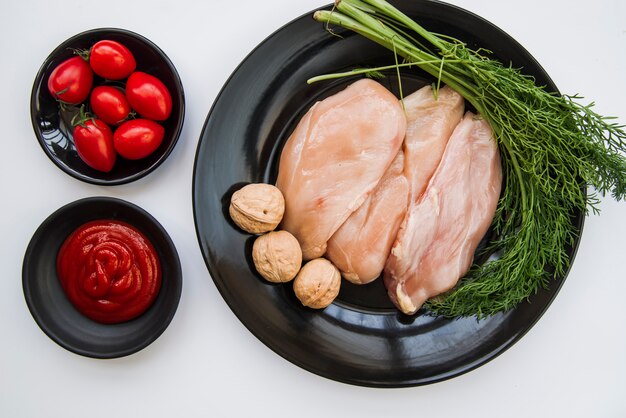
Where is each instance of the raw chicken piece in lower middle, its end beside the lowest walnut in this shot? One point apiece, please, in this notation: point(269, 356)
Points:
point(360, 247)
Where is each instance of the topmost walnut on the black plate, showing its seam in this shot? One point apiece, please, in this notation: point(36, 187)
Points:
point(257, 208)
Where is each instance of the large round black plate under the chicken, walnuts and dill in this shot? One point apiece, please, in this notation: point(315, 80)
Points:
point(359, 339)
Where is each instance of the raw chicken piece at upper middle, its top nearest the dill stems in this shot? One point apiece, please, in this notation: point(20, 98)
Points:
point(430, 123)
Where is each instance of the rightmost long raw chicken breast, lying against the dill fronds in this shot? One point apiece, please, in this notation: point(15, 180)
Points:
point(436, 243)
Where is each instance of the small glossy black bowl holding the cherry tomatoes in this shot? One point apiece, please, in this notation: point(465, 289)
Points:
point(52, 123)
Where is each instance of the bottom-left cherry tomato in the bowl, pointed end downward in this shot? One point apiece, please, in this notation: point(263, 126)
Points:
point(94, 142)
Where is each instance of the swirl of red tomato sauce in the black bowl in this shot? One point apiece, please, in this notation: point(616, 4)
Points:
point(109, 270)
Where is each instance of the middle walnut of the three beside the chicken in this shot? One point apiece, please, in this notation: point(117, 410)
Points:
point(277, 256)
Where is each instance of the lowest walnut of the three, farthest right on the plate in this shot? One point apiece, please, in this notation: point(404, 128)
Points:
point(317, 283)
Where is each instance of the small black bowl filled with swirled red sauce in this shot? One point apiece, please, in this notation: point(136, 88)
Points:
point(106, 312)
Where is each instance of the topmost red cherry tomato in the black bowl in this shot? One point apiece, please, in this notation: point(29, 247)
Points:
point(111, 60)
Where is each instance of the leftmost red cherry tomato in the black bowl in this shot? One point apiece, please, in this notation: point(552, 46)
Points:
point(71, 80)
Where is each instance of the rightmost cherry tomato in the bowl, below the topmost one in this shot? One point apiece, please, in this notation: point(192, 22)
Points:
point(148, 96)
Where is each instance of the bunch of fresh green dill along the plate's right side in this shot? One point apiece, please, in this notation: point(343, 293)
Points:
point(551, 146)
